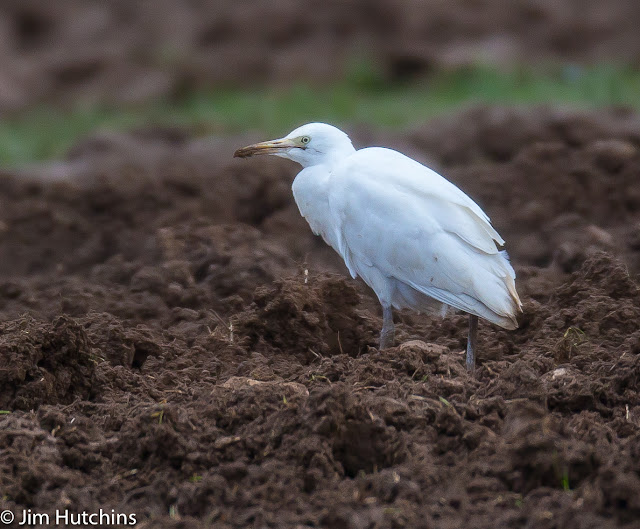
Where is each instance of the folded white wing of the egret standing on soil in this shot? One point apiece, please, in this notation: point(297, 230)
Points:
point(398, 219)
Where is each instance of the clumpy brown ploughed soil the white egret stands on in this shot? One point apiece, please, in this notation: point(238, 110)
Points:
point(164, 353)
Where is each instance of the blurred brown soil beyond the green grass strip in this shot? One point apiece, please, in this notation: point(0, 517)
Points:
point(119, 51)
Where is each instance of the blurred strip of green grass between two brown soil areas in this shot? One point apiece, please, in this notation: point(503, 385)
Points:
point(361, 97)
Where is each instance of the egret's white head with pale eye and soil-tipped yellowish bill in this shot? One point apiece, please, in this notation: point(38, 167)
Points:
point(310, 144)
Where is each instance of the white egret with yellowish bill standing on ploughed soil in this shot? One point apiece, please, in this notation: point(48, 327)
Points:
point(416, 239)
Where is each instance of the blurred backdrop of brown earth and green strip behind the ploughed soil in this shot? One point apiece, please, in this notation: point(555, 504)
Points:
point(70, 67)
